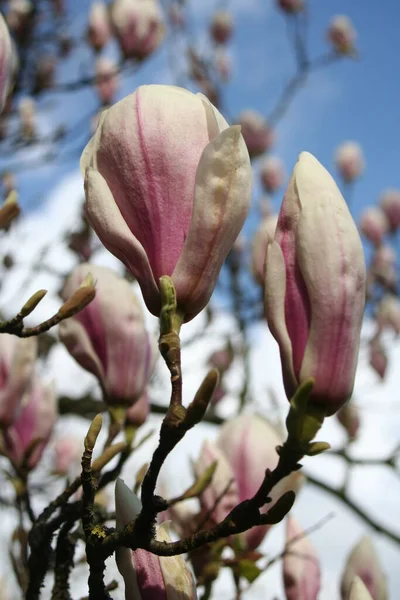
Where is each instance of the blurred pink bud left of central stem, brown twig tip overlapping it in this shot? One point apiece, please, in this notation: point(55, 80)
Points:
point(109, 337)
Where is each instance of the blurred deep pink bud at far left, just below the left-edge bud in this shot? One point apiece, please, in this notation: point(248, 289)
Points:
point(34, 425)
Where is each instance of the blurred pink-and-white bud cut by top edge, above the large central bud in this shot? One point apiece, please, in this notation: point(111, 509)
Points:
point(138, 26)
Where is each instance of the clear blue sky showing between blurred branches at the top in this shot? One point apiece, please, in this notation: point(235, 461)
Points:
point(348, 100)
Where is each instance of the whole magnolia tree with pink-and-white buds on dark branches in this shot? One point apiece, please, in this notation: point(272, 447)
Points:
point(168, 178)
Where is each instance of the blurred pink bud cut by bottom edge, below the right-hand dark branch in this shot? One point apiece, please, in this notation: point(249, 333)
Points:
point(301, 570)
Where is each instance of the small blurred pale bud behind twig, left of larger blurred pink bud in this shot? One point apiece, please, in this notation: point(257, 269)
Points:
point(223, 481)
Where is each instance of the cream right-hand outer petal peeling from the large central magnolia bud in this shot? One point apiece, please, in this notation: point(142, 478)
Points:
point(222, 200)
